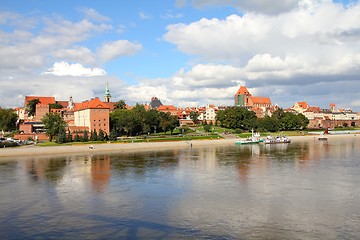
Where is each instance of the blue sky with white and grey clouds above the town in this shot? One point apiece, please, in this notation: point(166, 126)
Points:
point(185, 52)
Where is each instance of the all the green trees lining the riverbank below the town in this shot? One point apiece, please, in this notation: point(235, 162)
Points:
point(138, 121)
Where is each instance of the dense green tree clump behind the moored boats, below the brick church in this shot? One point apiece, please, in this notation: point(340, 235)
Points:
point(244, 120)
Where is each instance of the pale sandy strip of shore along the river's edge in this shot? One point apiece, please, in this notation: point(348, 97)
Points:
point(32, 150)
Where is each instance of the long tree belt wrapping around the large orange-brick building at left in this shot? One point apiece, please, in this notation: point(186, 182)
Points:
point(129, 122)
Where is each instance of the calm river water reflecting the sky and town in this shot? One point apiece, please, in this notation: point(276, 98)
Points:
point(302, 190)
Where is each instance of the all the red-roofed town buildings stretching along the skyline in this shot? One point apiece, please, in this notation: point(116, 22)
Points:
point(94, 114)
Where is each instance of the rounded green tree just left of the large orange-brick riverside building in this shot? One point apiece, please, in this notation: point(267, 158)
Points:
point(54, 124)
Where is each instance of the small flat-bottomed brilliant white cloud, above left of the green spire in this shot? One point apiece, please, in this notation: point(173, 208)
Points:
point(75, 69)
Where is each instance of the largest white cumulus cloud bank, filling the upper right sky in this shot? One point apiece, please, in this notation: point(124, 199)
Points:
point(315, 38)
